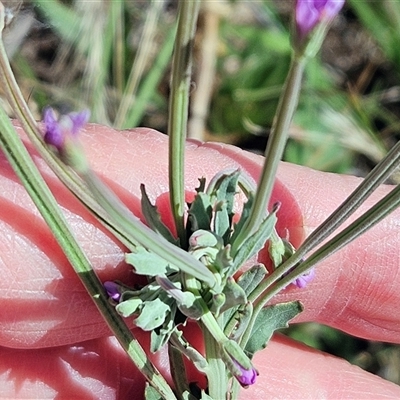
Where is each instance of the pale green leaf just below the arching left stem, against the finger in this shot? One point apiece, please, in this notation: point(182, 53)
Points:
point(146, 263)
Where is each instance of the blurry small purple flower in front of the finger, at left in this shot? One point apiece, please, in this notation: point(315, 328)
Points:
point(58, 130)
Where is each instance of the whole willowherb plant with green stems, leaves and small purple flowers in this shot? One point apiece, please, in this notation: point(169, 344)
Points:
point(193, 275)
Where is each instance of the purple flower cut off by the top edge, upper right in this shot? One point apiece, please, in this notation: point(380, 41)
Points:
point(309, 13)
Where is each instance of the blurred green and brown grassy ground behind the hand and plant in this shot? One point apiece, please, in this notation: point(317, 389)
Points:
point(113, 57)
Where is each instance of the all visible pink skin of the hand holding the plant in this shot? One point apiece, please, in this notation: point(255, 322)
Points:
point(54, 343)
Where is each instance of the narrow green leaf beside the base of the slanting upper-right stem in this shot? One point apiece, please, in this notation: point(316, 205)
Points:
point(254, 243)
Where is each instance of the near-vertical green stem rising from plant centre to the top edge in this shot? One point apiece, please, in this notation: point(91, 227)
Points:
point(178, 109)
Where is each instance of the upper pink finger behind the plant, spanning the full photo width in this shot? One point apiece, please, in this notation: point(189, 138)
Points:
point(46, 305)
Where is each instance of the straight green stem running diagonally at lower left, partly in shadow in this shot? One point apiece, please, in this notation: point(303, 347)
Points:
point(30, 177)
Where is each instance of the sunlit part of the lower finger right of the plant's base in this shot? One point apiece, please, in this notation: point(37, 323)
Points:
point(289, 370)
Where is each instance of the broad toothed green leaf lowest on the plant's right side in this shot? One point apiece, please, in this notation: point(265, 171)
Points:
point(268, 321)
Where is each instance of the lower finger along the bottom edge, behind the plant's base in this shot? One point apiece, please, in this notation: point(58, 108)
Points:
point(99, 369)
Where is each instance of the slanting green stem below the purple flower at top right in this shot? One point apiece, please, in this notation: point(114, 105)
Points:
point(274, 151)
